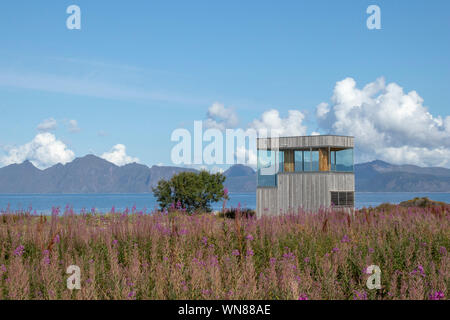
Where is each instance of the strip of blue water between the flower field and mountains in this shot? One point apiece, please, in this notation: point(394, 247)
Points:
point(43, 203)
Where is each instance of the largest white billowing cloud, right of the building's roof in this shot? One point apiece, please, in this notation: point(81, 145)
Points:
point(388, 123)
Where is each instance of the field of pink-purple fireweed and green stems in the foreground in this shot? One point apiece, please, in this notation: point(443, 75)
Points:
point(135, 255)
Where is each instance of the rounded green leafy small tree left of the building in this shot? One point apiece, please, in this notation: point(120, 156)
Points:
point(191, 191)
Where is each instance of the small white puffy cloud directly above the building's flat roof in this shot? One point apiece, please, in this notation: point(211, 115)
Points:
point(271, 123)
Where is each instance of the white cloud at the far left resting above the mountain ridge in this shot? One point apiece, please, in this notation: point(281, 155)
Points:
point(43, 151)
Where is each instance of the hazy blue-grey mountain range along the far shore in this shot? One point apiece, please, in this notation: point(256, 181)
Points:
point(91, 174)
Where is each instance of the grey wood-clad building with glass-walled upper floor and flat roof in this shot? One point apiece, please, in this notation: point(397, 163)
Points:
point(309, 172)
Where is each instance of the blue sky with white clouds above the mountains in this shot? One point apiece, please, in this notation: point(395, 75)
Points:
point(138, 70)
